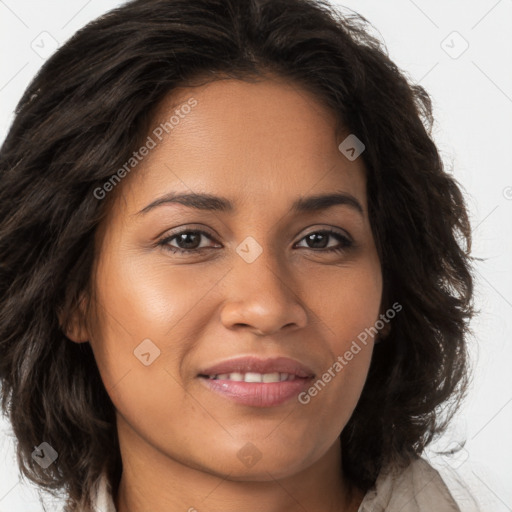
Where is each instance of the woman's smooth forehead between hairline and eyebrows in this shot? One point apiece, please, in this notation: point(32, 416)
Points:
point(255, 143)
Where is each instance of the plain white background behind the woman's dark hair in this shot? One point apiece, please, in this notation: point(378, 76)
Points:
point(472, 96)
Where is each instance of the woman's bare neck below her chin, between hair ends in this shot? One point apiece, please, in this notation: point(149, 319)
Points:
point(155, 481)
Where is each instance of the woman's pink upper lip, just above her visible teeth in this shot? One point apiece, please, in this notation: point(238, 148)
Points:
point(254, 364)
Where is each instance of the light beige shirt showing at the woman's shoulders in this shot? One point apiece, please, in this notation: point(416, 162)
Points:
point(417, 488)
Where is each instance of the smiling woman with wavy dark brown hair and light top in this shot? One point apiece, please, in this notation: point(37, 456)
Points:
point(233, 269)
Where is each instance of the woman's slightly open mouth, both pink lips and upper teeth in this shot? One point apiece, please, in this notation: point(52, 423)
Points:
point(257, 382)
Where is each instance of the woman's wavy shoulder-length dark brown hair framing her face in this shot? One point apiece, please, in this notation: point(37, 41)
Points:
point(84, 114)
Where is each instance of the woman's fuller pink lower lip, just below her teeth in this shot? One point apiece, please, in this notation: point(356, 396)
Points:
point(257, 394)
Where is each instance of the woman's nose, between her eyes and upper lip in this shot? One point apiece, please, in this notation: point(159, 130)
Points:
point(262, 297)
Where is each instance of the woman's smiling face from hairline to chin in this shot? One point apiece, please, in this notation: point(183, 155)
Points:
point(258, 278)
